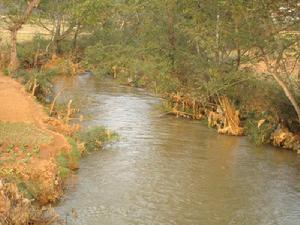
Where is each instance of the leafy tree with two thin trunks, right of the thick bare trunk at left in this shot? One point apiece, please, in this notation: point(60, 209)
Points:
point(63, 18)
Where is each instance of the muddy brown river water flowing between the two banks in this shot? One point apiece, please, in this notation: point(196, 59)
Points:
point(171, 171)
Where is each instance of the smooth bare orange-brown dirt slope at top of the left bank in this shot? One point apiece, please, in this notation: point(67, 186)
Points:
point(16, 105)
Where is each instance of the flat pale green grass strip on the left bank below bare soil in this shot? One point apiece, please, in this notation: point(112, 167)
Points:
point(22, 134)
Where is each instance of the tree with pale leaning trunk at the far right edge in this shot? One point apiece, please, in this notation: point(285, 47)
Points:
point(278, 44)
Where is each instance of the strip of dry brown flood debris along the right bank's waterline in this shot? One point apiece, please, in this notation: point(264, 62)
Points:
point(223, 115)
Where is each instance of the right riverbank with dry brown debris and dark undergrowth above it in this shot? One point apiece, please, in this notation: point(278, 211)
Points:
point(230, 113)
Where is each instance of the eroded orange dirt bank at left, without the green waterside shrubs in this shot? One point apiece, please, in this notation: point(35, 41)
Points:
point(28, 156)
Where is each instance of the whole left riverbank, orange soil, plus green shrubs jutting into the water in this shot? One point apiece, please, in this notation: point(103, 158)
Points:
point(36, 155)
